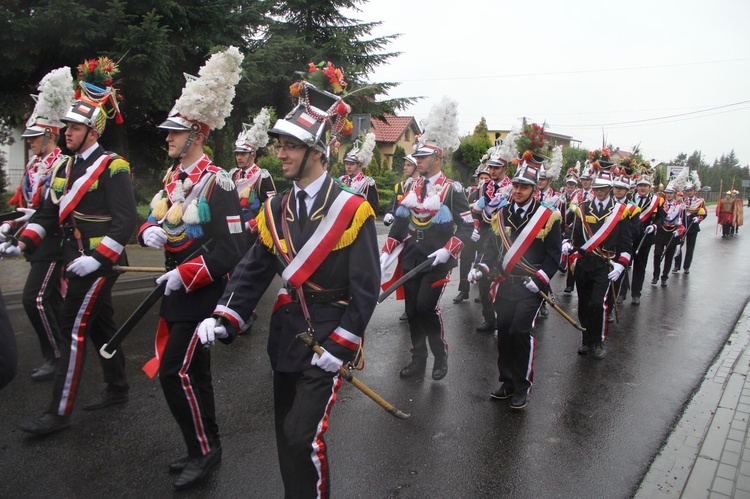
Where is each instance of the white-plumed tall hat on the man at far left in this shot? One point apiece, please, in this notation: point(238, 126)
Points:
point(52, 102)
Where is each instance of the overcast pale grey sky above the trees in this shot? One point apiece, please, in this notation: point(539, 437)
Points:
point(672, 76)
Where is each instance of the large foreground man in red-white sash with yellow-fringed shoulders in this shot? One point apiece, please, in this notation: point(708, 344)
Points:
point(321, 239)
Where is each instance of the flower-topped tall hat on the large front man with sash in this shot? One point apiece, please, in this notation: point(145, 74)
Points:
point(320, 115)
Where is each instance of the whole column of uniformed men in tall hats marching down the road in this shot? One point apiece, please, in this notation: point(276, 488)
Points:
point(226, 234)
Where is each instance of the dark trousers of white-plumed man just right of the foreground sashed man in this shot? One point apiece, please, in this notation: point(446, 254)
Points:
point(422, 296)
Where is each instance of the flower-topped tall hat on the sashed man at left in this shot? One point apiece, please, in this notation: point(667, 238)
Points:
point(95, 96)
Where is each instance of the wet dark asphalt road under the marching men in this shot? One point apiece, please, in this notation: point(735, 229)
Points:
point(590, 429)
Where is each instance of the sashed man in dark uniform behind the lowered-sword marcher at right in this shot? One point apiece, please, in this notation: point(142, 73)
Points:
point(602, 247)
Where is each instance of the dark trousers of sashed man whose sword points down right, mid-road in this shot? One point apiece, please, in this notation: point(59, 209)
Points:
point(515, 345)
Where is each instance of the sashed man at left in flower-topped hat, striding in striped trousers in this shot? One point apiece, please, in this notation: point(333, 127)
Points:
point(91, 197)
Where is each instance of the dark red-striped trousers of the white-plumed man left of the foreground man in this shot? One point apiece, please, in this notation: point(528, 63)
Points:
point(185, 376)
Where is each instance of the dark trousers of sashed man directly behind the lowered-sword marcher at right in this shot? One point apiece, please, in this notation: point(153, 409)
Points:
point(593, 288)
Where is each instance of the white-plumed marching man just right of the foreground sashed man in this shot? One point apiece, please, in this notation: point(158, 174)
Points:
point(432, 222)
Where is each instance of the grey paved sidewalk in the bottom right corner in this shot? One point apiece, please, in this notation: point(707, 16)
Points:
point(708, 452)
